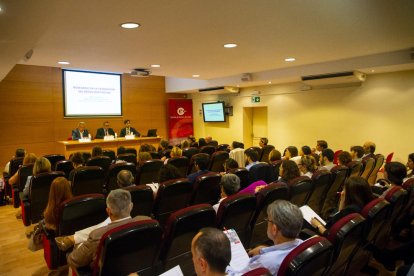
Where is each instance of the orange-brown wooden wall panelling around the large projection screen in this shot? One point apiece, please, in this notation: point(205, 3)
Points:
point(32, 115)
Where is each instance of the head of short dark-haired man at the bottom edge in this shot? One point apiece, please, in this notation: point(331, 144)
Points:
point(211, 252)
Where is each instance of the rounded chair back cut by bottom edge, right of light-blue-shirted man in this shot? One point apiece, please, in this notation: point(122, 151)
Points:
point(312, 257)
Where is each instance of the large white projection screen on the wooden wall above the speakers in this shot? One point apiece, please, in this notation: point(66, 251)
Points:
point(91, 94)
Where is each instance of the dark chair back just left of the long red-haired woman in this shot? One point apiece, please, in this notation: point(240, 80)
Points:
point(39, 193)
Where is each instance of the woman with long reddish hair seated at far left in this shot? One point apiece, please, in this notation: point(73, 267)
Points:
point(60, 190)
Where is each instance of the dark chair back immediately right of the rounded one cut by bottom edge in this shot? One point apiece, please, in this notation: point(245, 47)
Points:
point(345, 235)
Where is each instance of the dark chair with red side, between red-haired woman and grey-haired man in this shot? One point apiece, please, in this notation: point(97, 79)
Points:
point(74, 214)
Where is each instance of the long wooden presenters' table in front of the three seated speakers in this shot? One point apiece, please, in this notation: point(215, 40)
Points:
point(69, 147)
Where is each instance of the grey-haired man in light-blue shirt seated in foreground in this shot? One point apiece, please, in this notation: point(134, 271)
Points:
point(284, 224)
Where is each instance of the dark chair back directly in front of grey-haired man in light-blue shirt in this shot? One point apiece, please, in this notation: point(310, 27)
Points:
point(264, 197)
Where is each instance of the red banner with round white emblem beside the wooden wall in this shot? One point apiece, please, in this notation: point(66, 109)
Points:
point(180, 118)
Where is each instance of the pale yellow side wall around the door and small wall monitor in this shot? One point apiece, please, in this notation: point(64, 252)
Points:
point(380, 110)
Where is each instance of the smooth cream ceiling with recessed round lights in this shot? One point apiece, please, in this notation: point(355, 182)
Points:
point(186, 37)
